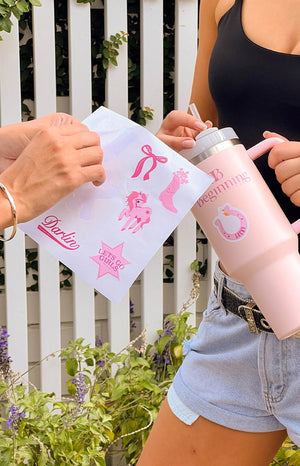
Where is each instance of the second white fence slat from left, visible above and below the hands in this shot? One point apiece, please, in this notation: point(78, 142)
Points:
point(49, 291)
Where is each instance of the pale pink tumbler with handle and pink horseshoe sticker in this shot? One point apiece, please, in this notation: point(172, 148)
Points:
point(245, 225)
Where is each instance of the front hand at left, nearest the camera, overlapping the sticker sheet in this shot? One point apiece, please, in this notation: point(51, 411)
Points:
point(55, 162)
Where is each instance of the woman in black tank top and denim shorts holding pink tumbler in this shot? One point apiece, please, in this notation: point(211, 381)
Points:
point(237, 394)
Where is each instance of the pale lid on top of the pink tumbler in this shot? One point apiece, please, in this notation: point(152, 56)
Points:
point(207, 139)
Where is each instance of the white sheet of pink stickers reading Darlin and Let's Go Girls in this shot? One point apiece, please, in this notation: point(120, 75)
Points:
point(108, 234)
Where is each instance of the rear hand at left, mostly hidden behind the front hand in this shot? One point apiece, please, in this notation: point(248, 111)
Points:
point(15, 137)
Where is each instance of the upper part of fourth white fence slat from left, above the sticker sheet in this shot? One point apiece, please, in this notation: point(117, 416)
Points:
point(116, 92)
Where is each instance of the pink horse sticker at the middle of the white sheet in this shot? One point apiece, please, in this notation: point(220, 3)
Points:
point(137, 214)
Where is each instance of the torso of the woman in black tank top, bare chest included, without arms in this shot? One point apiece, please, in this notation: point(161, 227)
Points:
point(254, 75)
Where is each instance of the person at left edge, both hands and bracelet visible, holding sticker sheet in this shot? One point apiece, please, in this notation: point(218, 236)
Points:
point(42, 161)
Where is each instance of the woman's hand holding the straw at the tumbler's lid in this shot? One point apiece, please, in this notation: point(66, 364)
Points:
point(179, 129)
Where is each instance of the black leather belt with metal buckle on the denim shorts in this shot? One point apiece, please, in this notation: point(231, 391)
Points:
point(246, 309)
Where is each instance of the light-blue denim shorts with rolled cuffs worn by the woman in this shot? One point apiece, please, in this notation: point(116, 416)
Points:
point(235, 378)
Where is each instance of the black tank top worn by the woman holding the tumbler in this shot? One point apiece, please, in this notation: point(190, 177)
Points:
point(255, 89)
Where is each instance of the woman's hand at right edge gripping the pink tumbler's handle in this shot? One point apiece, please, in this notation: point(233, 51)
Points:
point(285, 159)
